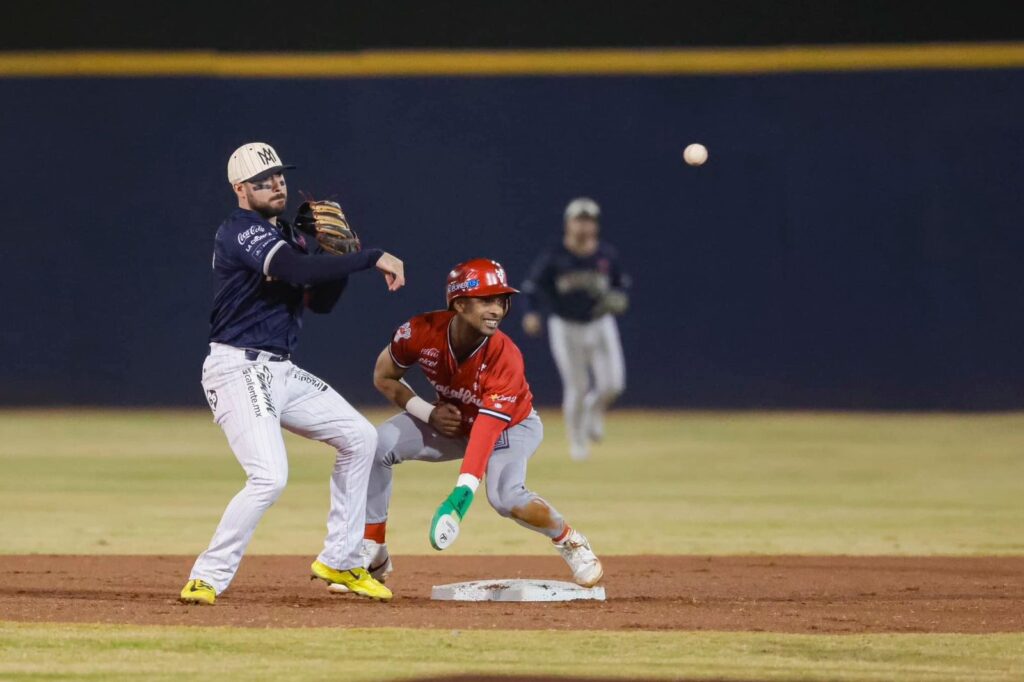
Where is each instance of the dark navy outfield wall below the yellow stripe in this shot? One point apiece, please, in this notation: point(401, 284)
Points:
point(856, 240)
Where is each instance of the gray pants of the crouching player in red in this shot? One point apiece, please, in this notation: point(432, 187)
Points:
point(404, 438)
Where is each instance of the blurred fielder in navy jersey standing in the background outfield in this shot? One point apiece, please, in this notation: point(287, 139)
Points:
point(582, 287)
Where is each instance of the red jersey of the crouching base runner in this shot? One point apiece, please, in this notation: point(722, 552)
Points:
point(491, 381)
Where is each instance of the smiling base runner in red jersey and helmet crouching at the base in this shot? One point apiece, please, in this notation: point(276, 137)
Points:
point(484, 414)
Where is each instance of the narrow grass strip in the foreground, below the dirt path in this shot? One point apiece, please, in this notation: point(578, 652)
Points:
point(109, 653)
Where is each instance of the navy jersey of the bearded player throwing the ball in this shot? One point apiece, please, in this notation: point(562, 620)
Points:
point(251, 310)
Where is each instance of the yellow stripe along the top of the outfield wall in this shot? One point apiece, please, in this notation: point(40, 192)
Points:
point(514, 63)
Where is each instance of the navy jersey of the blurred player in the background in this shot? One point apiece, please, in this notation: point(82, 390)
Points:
point(571, 287)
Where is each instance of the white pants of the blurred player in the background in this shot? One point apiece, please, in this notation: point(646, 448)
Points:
point(582, 350)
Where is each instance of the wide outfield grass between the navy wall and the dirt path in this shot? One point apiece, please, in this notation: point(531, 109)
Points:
point(137, 482)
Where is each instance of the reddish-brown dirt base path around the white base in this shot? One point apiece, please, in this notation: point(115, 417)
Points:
point(775, 594)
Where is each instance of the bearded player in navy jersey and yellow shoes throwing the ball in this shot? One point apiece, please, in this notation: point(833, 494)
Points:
point(267, 275)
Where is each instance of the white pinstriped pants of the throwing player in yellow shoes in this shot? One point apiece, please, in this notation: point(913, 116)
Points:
point(252, 400)
